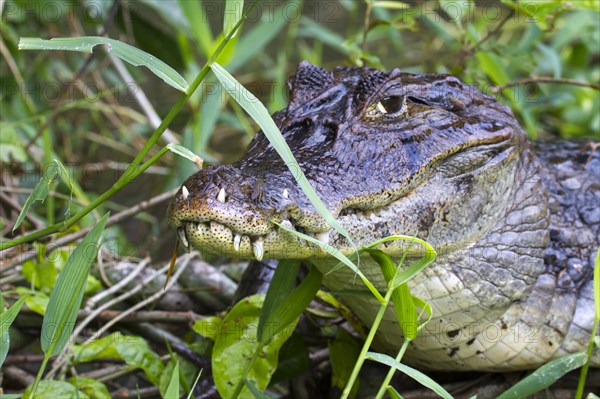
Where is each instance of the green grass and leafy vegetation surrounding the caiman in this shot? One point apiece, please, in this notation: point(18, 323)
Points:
point(80, 137)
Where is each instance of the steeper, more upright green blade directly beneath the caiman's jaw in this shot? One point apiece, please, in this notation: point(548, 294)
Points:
point(280, 287)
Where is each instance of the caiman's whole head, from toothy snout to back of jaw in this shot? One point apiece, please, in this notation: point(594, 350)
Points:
point(387, 152)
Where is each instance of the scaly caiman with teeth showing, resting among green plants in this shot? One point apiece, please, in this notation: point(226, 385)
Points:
point(515, 224)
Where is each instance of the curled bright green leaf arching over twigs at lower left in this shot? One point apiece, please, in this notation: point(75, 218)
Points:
point(132, 350)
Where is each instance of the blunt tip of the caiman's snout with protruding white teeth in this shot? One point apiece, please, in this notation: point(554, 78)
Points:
point(225, 211)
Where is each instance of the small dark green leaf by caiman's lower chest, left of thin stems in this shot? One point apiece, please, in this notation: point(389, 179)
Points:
point(343, 352)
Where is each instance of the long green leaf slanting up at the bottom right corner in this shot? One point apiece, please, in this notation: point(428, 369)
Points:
point(545, 376)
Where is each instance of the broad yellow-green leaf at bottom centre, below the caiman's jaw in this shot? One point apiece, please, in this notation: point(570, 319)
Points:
point(236, 344)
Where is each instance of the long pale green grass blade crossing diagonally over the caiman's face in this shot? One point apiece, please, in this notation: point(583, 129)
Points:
point(259, 113)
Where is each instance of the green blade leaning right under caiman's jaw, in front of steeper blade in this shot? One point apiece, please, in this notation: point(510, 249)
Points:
point(292, 306)
